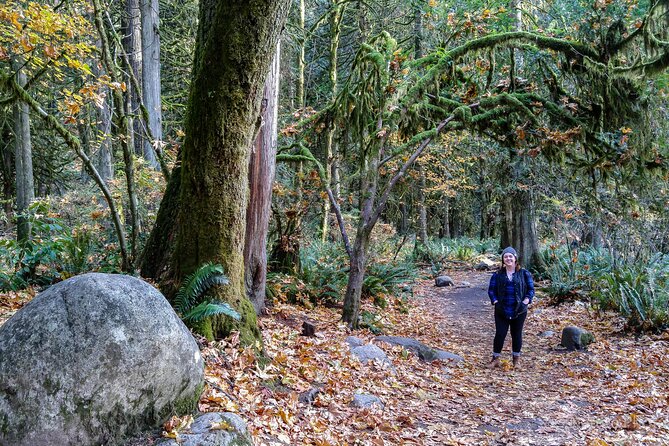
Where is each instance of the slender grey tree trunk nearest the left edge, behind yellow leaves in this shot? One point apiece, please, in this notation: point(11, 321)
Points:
point(25, 186)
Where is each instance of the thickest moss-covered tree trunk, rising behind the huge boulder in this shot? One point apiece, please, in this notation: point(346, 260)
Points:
point(235, 45)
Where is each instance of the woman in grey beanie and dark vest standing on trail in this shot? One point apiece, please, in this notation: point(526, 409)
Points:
point(511, 290)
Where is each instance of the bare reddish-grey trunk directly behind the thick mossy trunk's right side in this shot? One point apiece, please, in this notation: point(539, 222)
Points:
point(261, 177)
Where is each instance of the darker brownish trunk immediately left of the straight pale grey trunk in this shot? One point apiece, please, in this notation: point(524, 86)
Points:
point(132, 46)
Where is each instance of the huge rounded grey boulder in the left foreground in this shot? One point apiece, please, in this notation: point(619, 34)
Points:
point(93, 359)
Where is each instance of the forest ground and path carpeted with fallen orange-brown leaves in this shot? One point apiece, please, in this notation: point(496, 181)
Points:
point(616, 393)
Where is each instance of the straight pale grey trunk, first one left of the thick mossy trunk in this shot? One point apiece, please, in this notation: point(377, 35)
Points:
point(151, 78)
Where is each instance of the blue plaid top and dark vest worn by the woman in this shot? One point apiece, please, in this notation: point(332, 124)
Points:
point(510, 294)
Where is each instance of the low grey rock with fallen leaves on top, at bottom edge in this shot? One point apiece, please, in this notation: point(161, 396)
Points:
point(231, 431)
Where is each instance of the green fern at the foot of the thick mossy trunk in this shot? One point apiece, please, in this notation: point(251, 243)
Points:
point(188, 301)
